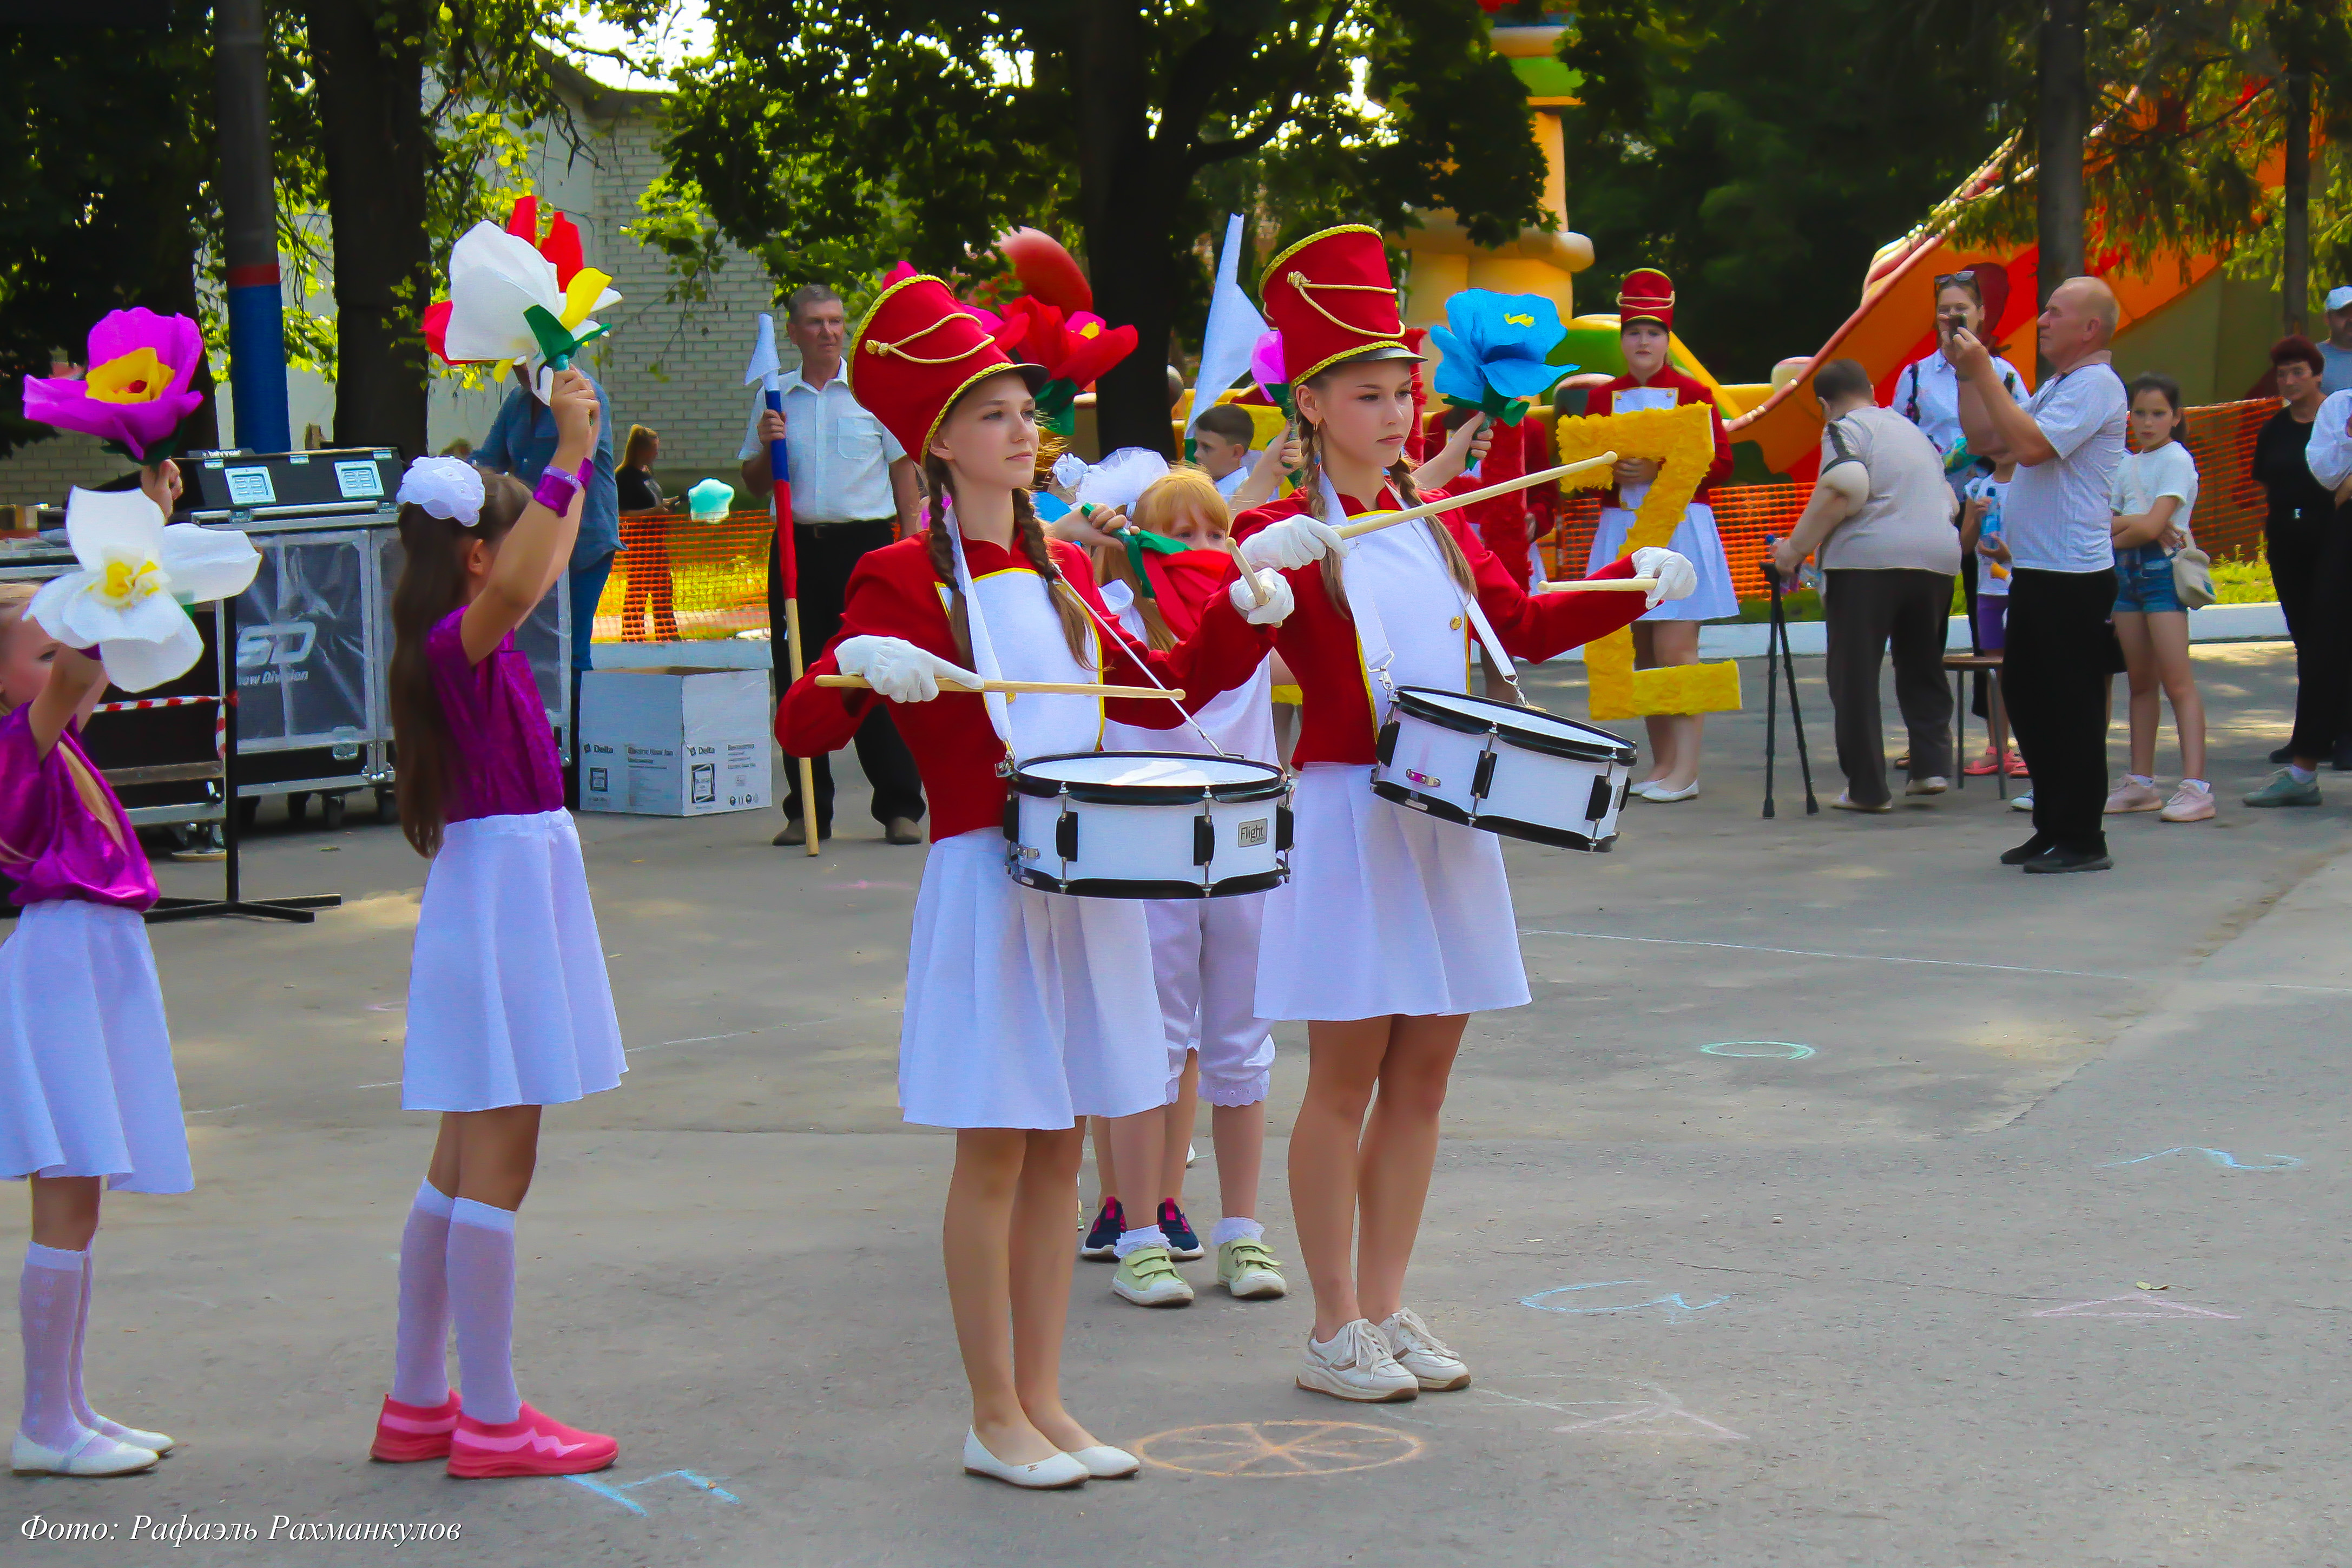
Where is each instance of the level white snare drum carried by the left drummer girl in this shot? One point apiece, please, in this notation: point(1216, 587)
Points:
point(1149, 826)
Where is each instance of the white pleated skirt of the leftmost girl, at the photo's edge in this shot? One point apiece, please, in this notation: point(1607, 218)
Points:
point(86, 1057)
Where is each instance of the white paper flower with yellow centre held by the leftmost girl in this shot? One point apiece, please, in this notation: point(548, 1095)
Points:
point(135, 577)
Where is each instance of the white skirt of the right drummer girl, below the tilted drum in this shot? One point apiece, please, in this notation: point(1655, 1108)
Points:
point(1389, 911)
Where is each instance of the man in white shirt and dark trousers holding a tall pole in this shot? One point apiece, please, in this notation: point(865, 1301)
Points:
point(853, 492)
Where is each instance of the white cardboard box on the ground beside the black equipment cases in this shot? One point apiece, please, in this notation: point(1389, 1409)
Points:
point(676, 742)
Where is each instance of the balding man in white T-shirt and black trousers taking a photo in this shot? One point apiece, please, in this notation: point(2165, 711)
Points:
point(2057, 528)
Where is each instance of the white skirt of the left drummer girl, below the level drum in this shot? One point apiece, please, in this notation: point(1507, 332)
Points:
point(1024, 1010)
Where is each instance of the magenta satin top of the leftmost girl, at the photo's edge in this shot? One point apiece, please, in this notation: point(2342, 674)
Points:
point(51, 843)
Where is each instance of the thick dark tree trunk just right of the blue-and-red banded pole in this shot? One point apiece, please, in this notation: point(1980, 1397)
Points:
point(370, 93)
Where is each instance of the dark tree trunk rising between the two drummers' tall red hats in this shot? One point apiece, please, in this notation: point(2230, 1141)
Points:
point(1130, 201)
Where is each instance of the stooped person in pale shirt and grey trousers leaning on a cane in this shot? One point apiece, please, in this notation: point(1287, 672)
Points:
point(1883, 523)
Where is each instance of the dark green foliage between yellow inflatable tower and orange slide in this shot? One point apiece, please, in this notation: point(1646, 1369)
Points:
point(1763, 152)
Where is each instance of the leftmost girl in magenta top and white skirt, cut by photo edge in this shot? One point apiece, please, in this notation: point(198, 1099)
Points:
point(86, 1059)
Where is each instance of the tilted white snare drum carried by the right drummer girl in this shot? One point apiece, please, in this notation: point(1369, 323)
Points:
point(1502, 768)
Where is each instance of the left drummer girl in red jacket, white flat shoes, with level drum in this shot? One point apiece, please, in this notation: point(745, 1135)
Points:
point(1024, 1010)
